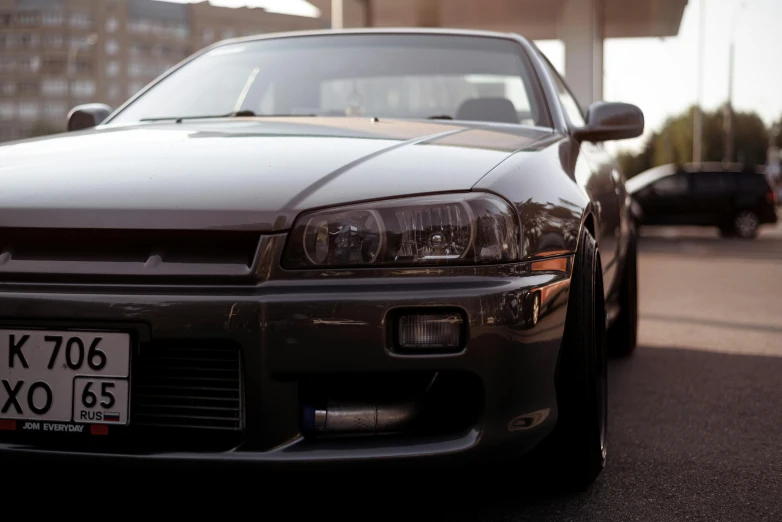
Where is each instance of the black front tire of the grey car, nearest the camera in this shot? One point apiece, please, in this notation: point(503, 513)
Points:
point(575, 453)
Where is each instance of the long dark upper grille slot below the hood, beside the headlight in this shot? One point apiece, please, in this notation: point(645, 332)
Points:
point(126, 255)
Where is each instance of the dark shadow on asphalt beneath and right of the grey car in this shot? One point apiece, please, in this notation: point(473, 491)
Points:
point(694, 435)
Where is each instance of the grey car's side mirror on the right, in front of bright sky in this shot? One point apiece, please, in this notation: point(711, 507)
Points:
point(611, 121)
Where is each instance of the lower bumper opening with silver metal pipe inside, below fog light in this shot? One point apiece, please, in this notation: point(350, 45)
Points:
point(394, 404)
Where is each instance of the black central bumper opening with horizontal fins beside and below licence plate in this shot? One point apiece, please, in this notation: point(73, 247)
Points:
point(185, 396)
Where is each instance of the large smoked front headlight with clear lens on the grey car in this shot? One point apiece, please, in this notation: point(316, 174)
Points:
point(465, 229)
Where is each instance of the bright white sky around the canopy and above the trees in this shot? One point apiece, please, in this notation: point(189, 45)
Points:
point(660, 75)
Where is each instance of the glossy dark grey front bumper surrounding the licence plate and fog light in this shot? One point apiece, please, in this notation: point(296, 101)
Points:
point(293, 331)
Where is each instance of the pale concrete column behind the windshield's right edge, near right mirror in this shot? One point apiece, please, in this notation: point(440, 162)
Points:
point(581, 30)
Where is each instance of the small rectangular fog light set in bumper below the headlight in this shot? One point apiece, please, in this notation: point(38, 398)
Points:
point(430, 332)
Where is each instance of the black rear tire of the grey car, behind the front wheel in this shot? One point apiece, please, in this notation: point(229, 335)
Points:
point(623, 333)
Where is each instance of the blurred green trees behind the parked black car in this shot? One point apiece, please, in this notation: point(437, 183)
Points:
point(673, 143)
